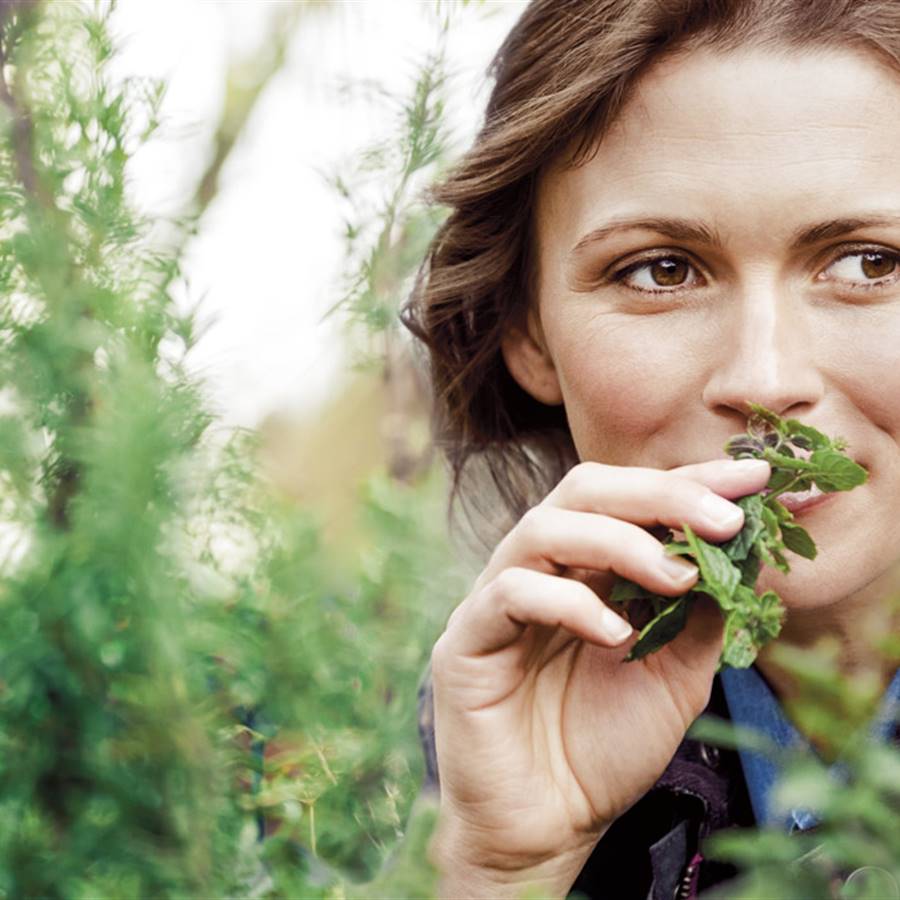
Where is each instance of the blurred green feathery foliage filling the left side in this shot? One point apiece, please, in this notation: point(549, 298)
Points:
point(185, 668)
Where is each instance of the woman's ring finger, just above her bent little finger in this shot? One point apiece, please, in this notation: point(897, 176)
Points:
point(550, 539)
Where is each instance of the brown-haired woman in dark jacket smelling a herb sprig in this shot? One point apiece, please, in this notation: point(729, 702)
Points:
point(673, 208)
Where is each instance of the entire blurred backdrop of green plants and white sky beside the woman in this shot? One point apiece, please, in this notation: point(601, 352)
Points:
point(226, 549)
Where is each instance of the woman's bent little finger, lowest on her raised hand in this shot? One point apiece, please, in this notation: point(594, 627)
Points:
point(496, 616)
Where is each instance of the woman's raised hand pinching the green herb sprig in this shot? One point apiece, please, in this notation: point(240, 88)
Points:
point(544, 736)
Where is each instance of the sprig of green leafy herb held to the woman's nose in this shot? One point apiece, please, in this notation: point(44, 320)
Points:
point(728, 571)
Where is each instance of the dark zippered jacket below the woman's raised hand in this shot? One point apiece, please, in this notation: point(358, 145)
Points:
point(652, 852)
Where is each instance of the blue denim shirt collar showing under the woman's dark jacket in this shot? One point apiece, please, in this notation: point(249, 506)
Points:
point(751, 703)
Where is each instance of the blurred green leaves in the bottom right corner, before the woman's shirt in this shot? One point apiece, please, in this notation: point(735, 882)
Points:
point(855, 849)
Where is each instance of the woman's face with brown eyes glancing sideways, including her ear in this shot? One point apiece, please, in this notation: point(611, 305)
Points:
point(736, 237)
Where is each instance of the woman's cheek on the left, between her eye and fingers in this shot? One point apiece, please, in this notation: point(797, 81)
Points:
point(622, 383)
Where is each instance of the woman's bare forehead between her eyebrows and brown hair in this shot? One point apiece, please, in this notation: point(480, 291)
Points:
point(748, 139)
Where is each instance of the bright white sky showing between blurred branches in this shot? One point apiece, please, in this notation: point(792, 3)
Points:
point(265, 264)
